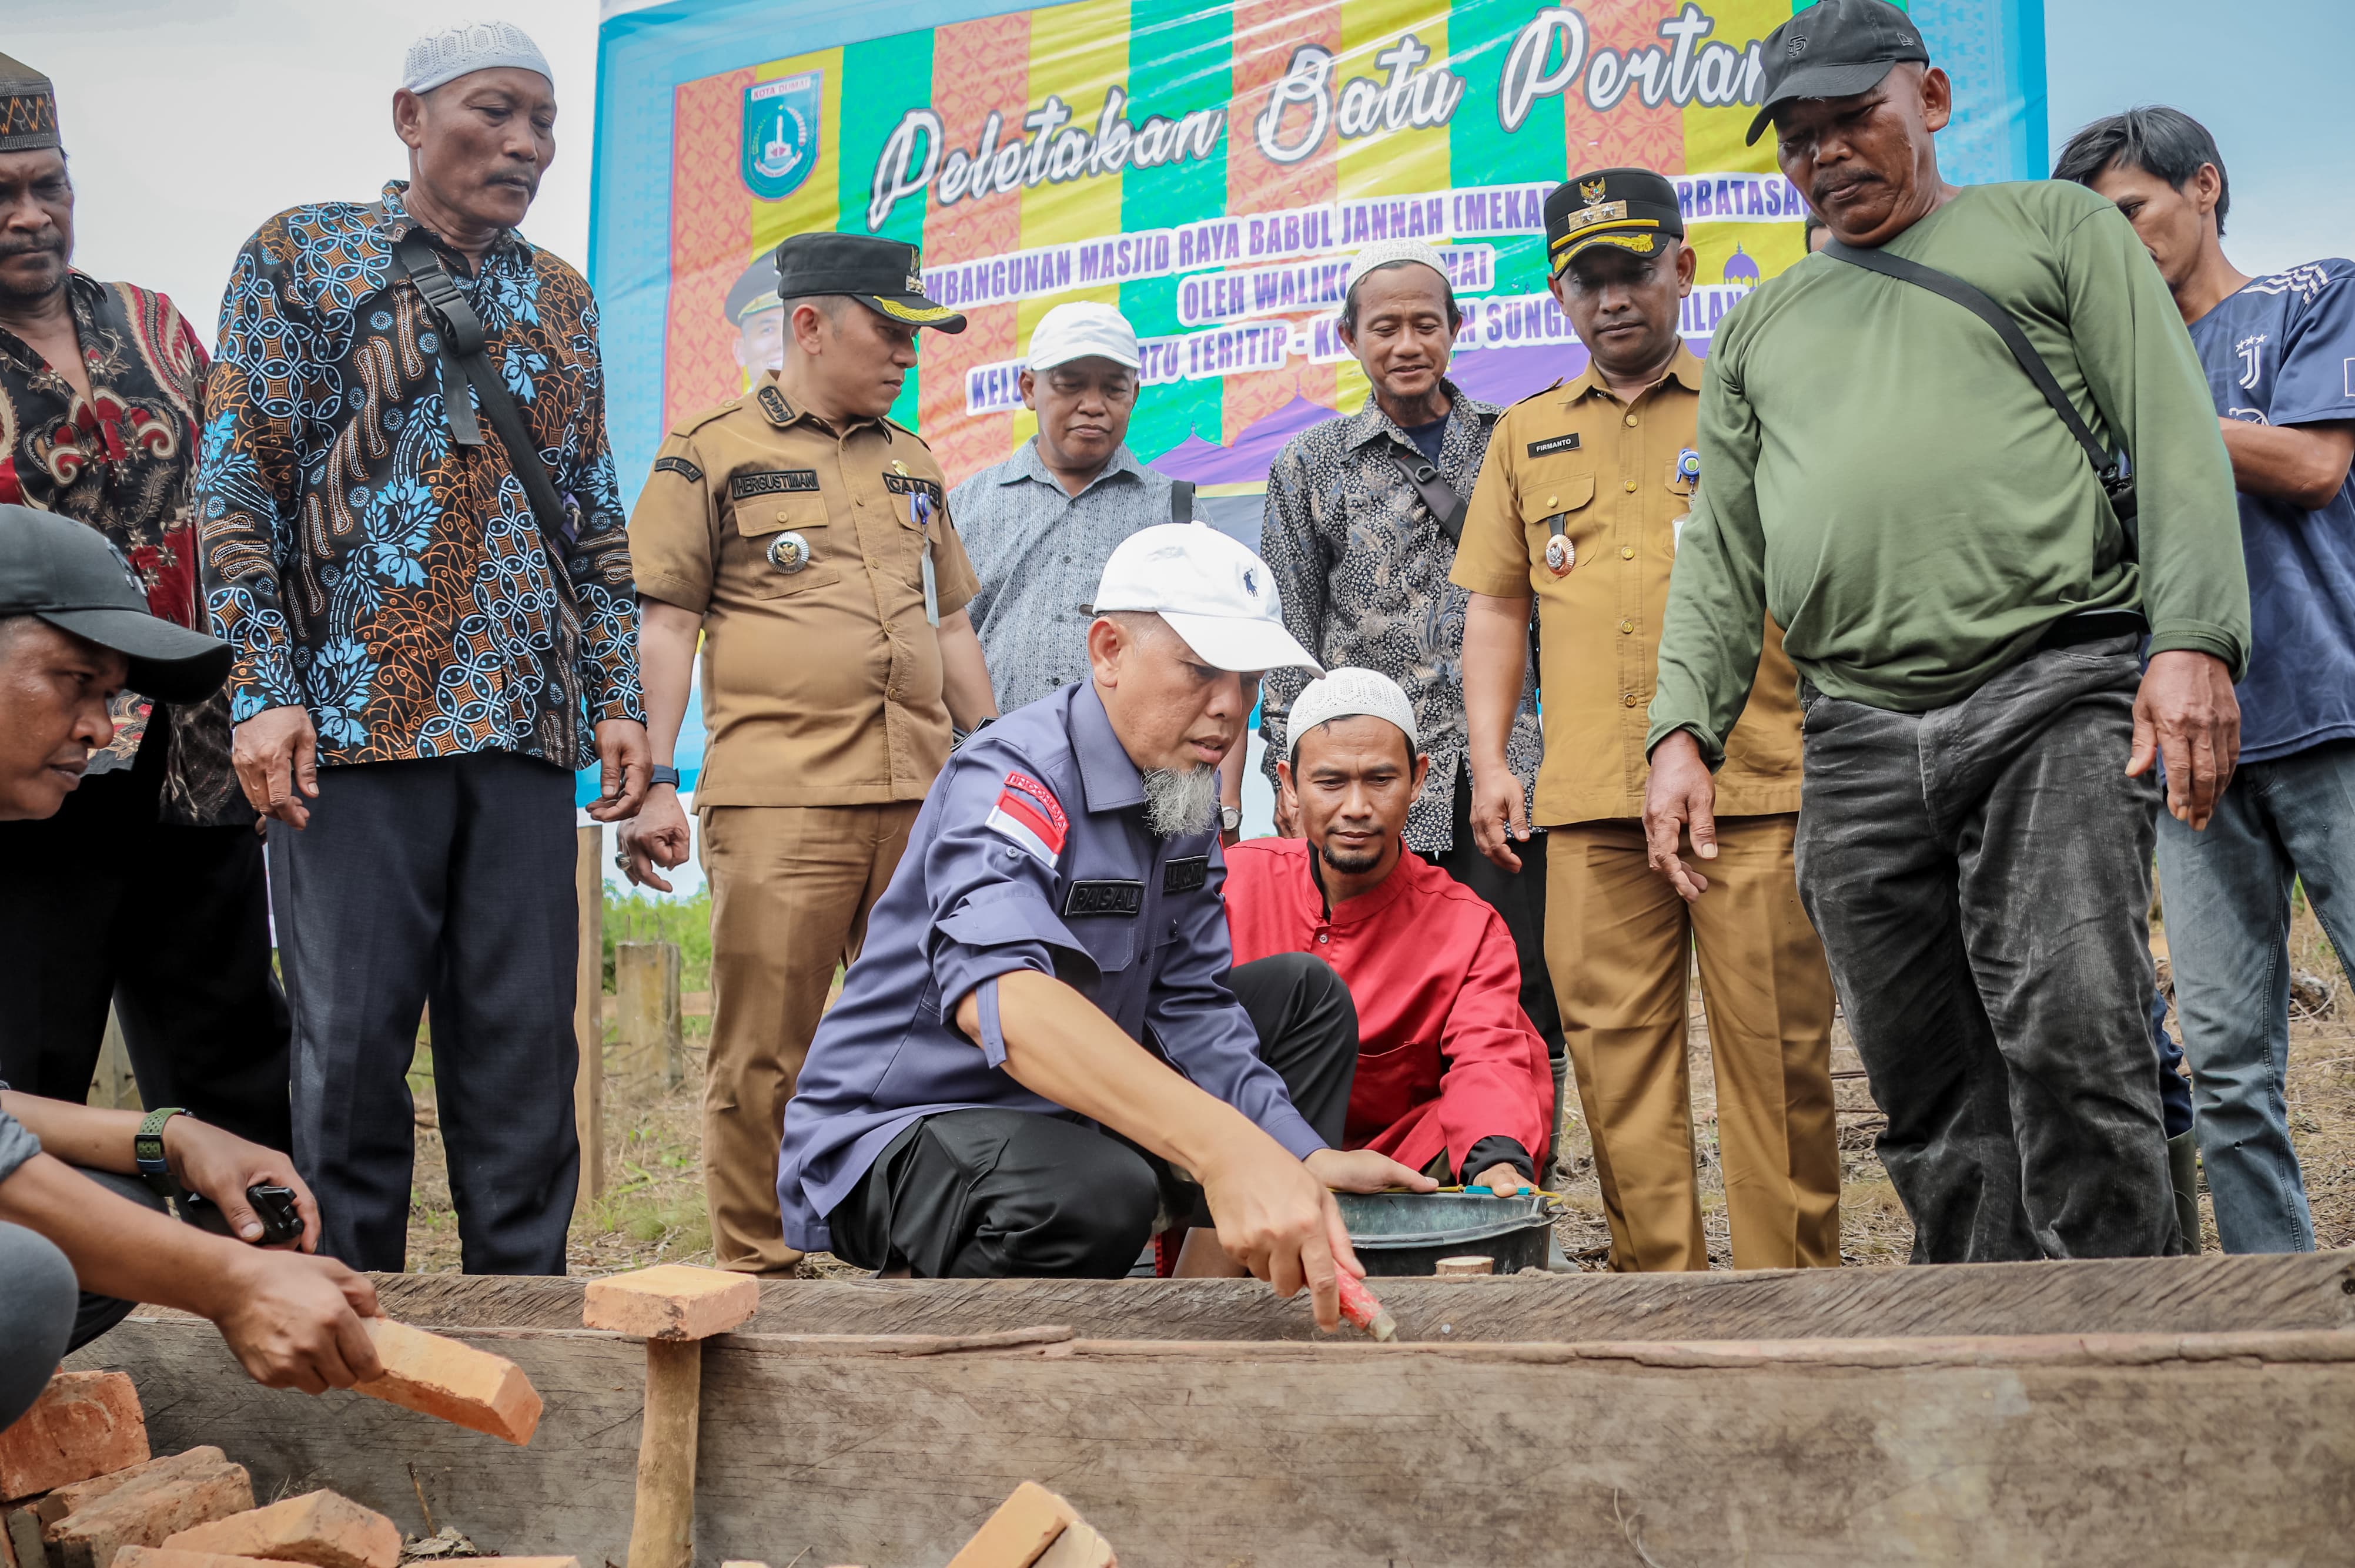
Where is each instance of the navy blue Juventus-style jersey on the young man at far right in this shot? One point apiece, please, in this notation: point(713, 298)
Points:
point(2283, 352)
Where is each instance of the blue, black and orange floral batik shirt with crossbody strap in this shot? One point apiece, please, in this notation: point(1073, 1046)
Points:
point(359, 559)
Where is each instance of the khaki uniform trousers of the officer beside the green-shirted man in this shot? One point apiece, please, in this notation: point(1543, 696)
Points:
point(1619, 941)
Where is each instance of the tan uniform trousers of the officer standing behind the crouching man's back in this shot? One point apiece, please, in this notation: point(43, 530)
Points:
point(790, 898)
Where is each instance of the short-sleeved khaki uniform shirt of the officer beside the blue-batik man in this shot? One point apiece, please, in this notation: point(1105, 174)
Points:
point(821, 686)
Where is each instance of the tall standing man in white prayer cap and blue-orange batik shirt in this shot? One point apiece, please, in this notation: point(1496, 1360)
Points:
point(416, 545)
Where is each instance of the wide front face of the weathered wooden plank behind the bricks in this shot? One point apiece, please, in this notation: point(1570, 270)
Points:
point(1772, 1454)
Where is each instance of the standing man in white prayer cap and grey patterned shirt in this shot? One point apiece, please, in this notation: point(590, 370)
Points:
point(1360, 536)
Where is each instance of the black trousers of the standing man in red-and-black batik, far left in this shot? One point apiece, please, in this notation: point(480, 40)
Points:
point(171, 924)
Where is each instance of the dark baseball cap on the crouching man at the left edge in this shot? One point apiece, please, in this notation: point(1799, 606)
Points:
point(69, 576)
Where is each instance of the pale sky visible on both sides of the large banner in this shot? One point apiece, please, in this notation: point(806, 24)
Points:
point(190, 121)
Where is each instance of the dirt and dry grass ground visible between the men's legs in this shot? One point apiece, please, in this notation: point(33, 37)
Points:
point(654, 1207)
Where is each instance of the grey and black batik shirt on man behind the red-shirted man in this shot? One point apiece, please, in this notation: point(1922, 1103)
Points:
point(1362, 571)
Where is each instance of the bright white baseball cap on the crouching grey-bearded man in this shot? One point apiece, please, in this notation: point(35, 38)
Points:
point(1214, 592)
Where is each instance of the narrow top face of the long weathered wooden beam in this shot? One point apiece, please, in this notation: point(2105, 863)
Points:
point(2050, 1298)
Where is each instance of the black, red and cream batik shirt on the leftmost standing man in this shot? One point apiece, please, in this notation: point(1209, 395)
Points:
point(124, 463)
